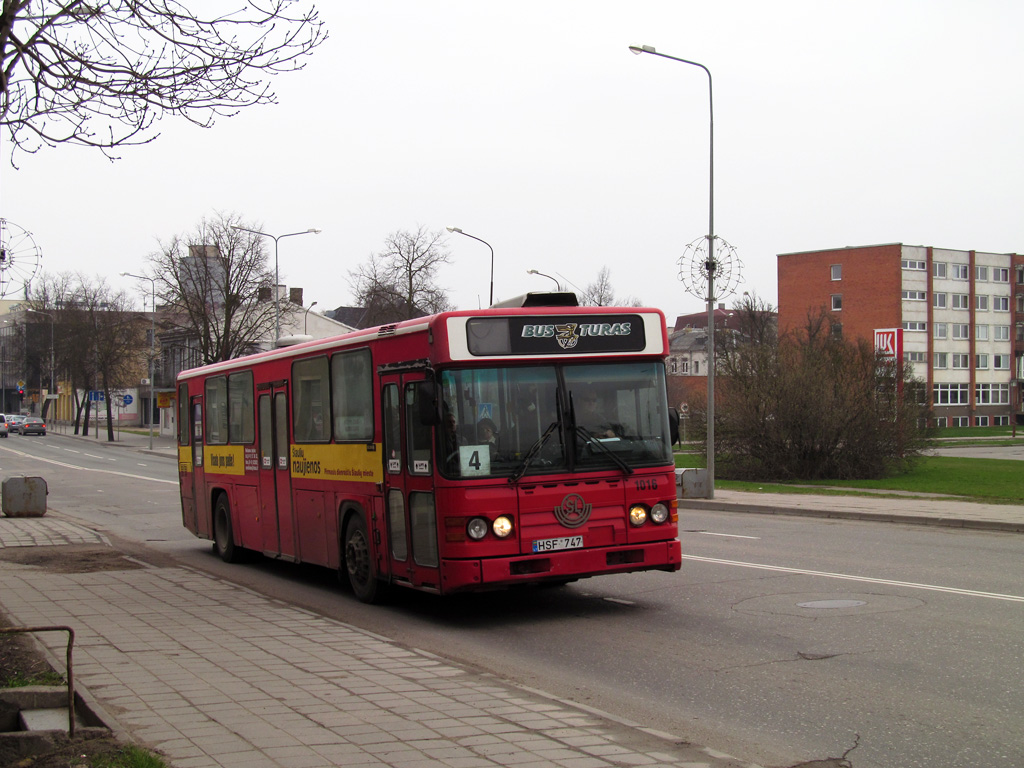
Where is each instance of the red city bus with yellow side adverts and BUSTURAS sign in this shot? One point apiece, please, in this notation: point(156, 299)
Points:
point(464, 451)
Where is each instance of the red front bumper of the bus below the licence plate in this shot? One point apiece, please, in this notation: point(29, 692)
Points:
point(565, 566)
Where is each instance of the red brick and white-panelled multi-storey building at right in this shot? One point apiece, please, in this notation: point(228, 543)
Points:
point(962, 314)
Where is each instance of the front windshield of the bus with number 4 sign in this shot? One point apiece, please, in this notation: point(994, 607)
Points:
point(507, 422)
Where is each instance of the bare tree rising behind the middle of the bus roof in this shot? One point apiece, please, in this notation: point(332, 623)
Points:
point(400, 282)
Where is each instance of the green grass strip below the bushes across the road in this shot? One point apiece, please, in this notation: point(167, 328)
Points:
point(992, 481)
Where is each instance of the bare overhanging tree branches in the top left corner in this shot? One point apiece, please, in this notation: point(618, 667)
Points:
point(102, 73)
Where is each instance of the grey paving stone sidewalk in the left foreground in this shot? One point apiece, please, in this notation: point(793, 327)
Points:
point(212, 674)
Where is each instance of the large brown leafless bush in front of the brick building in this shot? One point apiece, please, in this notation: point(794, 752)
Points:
point(812, 405)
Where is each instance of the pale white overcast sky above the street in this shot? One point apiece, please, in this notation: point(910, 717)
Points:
point(531, 125)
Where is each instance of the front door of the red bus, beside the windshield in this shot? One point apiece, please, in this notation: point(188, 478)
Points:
point(411, 522)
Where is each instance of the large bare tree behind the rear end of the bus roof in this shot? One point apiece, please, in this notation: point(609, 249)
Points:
point(218, 287)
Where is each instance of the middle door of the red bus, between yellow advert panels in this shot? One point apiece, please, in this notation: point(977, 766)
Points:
point(275, 478)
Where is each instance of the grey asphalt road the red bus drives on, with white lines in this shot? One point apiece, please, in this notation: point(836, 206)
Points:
point(783, 641)
